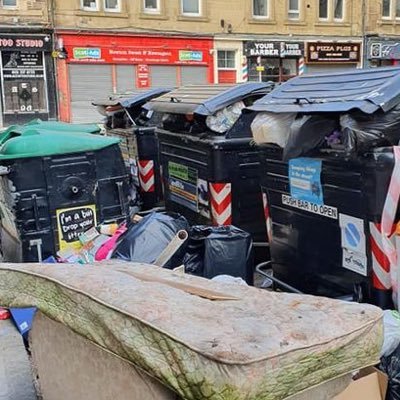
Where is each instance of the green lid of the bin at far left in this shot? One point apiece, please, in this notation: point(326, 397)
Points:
point(36, 142)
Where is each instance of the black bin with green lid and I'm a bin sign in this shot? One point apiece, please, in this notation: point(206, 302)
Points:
point(55, 186)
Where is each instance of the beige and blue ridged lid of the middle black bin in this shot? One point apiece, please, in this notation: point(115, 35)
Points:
point(205, 99)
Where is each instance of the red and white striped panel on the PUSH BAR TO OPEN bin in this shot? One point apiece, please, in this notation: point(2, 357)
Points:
point(380, 262)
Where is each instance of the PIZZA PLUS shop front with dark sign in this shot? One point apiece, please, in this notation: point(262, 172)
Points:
point(328, 57)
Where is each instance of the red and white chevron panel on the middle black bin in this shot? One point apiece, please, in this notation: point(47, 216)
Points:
point(221, 203)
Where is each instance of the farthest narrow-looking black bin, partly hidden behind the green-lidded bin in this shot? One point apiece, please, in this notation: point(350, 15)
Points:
point(142, 145)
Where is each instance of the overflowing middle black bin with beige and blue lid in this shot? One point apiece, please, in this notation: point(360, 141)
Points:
point(211, 177)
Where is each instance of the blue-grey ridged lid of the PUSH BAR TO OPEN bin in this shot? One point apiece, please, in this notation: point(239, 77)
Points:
point(365, 89)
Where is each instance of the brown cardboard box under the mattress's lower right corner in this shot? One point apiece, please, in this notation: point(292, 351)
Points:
point(369, 384)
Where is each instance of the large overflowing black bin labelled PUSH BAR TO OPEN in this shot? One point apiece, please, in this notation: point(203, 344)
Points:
point(326, 189)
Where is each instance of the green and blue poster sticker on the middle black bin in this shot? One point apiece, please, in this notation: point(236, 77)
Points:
point(182, 185)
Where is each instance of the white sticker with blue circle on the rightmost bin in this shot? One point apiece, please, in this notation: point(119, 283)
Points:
point(353, 244)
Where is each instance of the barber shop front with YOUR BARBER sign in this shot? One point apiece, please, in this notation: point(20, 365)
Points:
point(275, 61)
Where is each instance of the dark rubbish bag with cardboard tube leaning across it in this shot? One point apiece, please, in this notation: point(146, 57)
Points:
point(145, 241)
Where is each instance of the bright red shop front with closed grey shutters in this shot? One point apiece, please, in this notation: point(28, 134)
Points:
point(95, 66)
